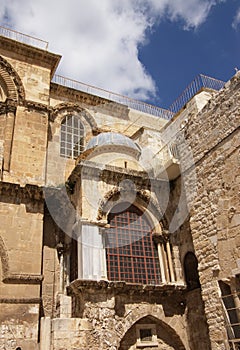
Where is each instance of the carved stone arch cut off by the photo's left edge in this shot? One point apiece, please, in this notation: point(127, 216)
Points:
point(11, 82)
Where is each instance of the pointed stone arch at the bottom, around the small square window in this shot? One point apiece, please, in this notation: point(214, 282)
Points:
point(139, 315)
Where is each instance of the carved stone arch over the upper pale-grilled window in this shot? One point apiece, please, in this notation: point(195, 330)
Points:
point(63, 109)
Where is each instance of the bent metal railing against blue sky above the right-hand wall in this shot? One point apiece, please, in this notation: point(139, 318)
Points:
point(201, 81)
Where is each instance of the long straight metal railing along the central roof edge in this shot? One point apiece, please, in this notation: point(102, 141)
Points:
point(131, 103)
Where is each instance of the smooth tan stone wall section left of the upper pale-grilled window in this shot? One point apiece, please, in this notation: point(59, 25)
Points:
point(28, 153)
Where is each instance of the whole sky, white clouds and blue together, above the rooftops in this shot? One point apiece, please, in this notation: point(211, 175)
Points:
point(146, 49)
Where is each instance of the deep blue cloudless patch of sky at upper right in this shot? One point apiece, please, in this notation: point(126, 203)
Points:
point(175, 56)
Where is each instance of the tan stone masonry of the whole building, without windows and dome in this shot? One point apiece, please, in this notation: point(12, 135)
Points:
point(202, 215)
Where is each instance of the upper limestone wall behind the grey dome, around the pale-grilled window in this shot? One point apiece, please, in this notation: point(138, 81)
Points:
point(97, 115)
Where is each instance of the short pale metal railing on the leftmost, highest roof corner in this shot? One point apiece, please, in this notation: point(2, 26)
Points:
point(23, 38)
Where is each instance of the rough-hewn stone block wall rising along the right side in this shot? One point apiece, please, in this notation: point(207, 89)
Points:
point(213, 136)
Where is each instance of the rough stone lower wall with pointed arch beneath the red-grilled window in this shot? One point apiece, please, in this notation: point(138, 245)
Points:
point(105, 314)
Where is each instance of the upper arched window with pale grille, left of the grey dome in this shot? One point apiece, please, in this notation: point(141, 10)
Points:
point(72, 137)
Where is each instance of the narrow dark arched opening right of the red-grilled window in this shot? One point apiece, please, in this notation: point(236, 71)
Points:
point(191, 271)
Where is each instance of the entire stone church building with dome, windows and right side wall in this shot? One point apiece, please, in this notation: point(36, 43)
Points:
point(119, 220)
